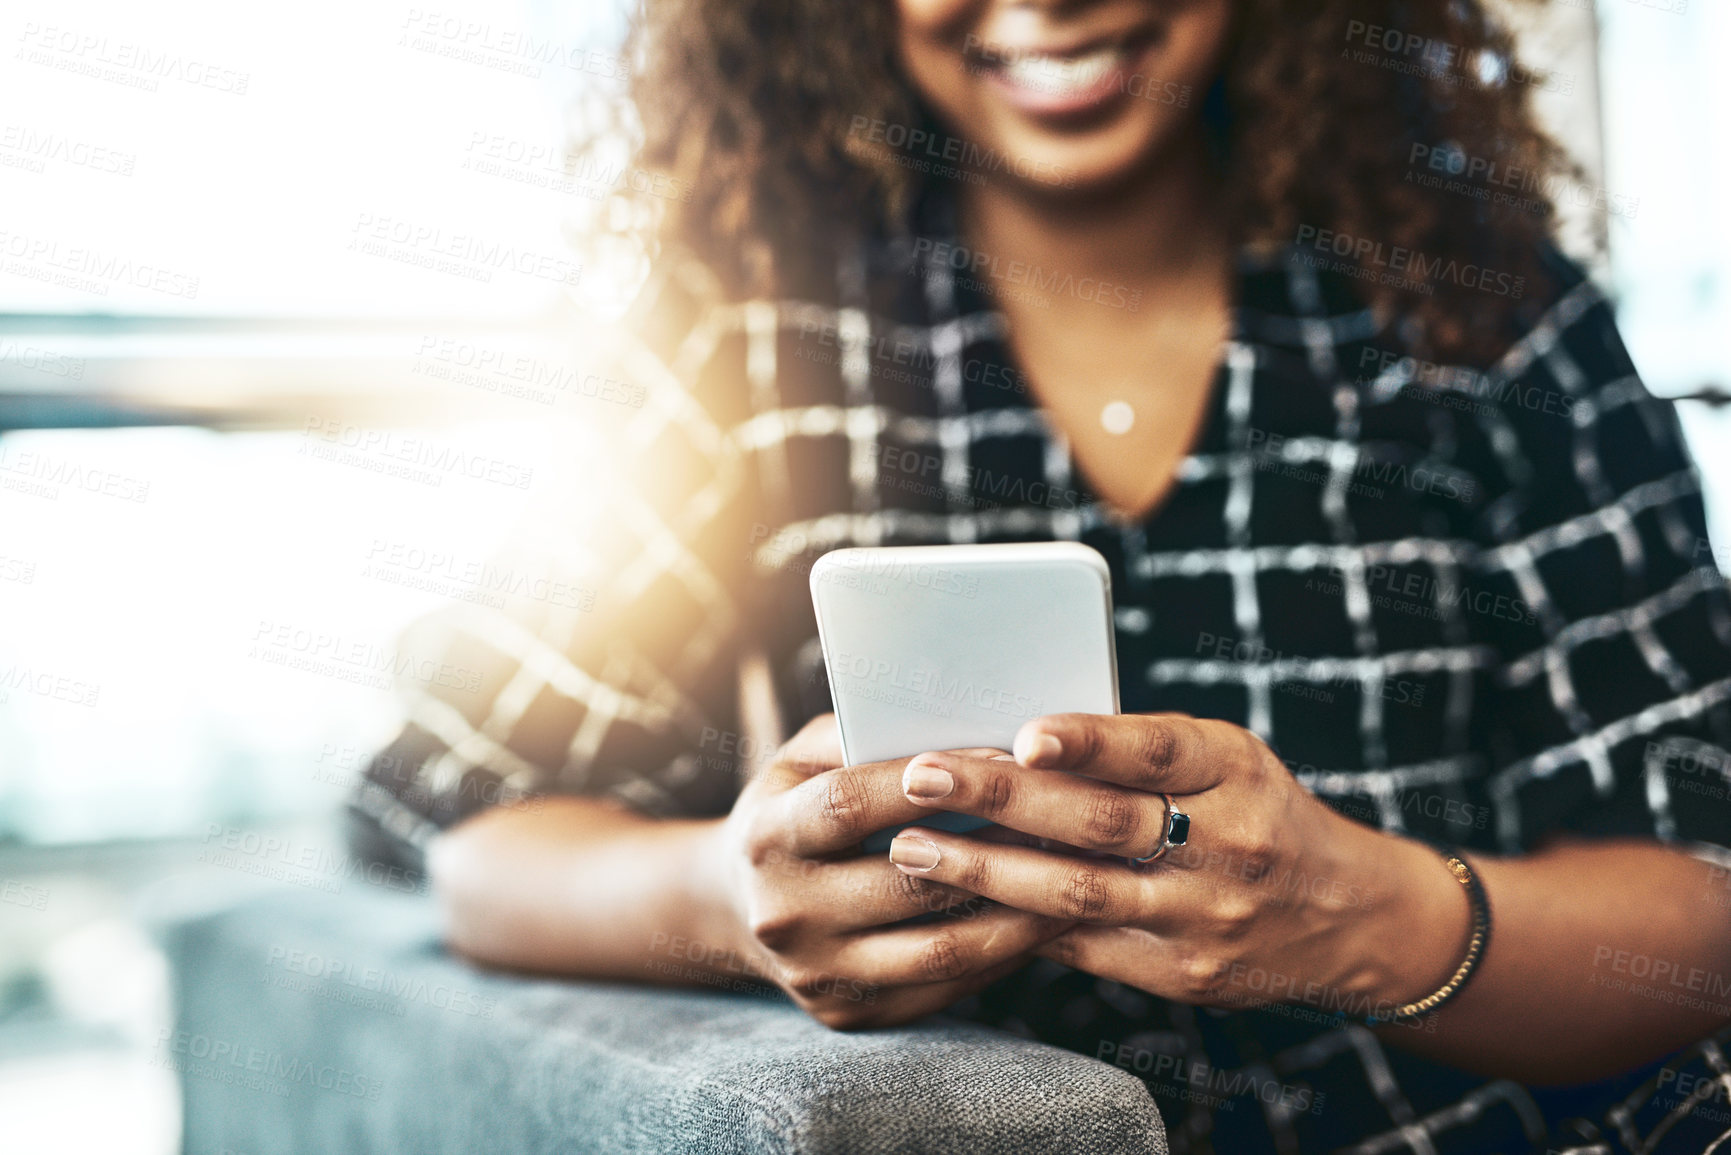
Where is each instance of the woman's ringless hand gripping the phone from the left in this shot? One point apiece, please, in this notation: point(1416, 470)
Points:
point(818, 919)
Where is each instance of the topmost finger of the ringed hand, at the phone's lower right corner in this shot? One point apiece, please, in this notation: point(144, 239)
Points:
point(1155, 752)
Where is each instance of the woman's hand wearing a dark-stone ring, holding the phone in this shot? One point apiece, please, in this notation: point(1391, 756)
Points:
point(1273, 900)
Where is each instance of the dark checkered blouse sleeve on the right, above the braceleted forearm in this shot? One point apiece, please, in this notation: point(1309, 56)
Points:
point(1602, 598)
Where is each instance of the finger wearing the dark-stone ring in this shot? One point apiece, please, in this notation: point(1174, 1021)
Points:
point(1050, 804)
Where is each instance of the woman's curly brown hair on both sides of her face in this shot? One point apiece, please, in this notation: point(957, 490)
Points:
point(1318, 115)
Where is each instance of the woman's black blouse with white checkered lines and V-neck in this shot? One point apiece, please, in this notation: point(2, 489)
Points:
point(1469, 603)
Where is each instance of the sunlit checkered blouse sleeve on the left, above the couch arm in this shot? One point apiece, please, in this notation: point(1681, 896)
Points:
point(619, 657)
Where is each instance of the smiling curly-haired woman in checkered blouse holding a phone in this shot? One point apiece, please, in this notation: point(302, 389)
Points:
point(1401, 552)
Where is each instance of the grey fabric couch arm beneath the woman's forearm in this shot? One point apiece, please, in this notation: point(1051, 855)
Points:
point(318, 1024)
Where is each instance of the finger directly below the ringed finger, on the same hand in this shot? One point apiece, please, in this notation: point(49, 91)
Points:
point(1057, 886)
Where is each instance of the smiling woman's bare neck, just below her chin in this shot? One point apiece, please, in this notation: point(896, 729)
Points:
point(1150, 229)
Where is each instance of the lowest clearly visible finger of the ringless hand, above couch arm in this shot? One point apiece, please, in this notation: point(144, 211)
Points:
point(944, 952)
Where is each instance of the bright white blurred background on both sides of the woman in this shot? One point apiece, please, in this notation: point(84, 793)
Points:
point(299, 314)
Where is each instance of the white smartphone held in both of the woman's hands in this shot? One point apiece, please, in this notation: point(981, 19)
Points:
point(953, 647)
